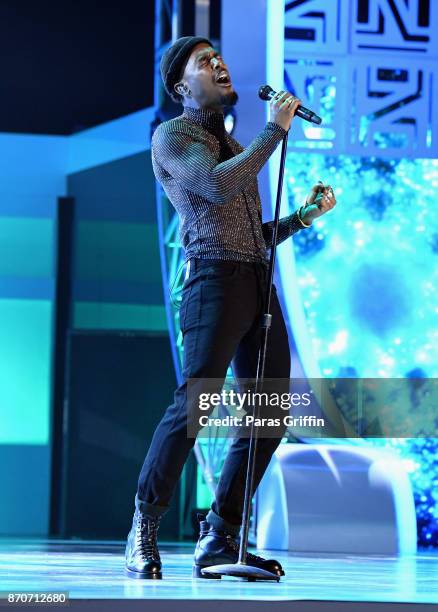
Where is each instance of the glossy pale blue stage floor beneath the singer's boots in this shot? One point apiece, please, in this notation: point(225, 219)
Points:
point(94, 570)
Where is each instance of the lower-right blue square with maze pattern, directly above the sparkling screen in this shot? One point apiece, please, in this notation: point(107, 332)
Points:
point(391, 107)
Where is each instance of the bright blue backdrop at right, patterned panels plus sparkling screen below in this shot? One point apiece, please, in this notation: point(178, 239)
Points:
point(367, 272)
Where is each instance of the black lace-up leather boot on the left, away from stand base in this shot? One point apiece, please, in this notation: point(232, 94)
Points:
point(141, 554)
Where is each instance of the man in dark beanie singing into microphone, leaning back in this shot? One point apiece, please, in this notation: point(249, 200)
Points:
point(212, 183)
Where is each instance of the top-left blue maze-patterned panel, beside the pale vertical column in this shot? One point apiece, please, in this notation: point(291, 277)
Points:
point(312, 26)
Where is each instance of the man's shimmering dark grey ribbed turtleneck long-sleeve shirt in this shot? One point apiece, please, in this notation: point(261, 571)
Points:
point(211, 180)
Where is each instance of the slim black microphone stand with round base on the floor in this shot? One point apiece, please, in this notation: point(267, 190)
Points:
point(241, 569)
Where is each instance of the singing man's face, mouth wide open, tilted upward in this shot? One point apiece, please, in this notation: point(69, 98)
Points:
point(208, 79)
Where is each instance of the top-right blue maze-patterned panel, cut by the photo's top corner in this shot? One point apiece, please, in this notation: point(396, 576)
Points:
point(379, 26)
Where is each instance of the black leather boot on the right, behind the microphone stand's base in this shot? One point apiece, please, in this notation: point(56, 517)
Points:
point(215, 547)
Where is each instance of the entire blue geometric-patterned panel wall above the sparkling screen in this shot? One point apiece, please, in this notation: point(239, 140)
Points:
point(369, 68)
